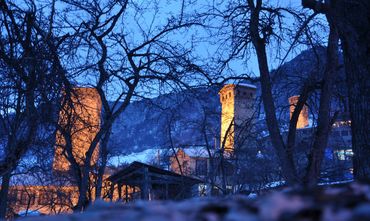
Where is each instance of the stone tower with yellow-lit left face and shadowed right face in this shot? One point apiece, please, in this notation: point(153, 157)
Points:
point(238, 108)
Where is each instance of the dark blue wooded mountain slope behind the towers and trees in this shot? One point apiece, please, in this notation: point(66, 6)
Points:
point(145, 124)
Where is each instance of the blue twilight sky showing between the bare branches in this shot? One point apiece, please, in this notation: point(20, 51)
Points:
point(143, 18)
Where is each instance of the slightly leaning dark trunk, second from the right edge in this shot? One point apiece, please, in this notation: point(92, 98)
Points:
point(324, 118)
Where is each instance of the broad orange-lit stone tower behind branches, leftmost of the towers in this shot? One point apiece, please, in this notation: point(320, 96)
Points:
point(81, 119)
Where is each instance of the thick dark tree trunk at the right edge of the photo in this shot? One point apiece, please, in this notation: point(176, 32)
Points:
point(351, 18)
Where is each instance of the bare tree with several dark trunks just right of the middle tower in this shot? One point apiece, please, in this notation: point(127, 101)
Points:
point(261, 25)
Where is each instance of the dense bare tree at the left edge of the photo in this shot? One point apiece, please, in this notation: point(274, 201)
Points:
point(28, 82)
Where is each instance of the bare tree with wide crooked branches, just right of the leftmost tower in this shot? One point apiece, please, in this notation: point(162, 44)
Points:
point(123, 67)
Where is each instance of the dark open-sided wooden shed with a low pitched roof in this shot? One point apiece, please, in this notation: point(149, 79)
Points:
point(146, 182)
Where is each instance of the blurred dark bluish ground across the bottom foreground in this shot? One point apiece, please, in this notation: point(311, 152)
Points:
point(345, 203)
